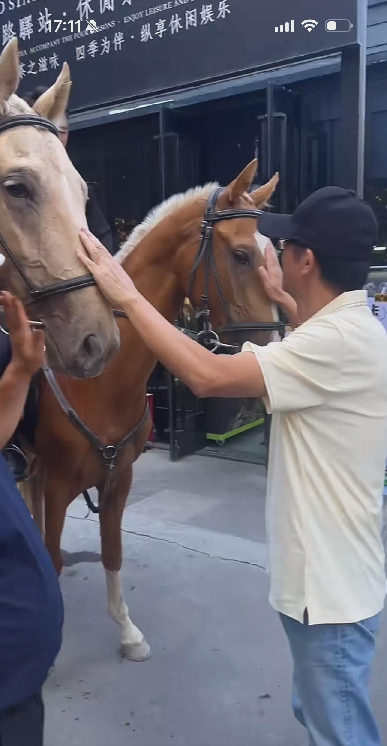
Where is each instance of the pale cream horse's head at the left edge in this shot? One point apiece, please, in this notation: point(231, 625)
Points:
point(42, 207)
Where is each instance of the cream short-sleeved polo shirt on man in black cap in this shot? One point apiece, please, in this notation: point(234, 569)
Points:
point(327, 391)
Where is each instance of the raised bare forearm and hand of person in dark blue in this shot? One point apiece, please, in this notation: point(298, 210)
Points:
point(27, 359)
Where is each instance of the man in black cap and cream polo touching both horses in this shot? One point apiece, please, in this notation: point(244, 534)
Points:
point(326, 386)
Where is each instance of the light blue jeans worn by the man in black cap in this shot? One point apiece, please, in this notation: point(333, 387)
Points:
point(330, 687)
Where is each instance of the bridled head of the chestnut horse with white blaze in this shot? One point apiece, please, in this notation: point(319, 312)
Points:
point(233, 284)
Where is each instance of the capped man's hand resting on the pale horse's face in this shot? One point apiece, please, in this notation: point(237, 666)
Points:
point(112, 280)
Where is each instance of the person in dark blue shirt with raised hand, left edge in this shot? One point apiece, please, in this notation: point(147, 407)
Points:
point(31, 607)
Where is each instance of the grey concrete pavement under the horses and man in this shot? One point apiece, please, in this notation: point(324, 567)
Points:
point(220, 673)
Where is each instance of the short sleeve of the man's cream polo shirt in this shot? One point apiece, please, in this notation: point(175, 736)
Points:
point(303, 370)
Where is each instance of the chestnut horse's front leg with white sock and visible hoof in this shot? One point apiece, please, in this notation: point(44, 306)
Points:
point(133, 646)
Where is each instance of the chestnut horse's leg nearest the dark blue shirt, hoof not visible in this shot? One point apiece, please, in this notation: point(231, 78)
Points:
point(56, 502)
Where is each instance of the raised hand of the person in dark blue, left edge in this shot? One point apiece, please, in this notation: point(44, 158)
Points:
point(28, 344)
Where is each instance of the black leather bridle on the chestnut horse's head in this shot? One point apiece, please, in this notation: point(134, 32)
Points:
point(208, 336)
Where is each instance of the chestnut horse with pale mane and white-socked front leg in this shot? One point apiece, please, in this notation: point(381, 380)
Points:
point(159, 256)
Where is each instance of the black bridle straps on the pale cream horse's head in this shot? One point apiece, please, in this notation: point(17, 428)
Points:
point(64, 286)
